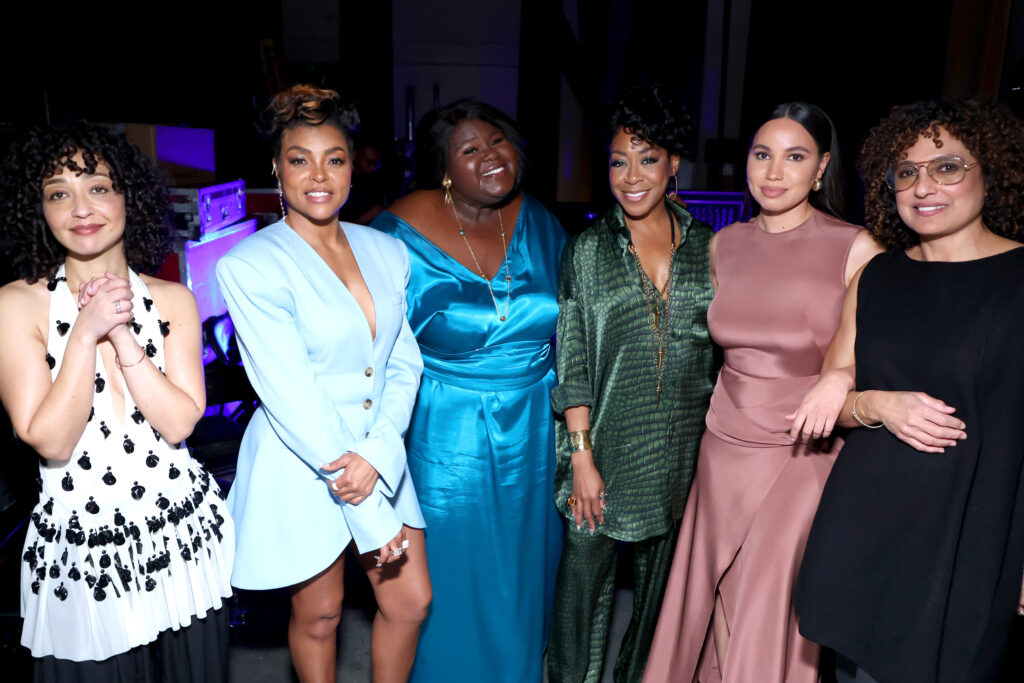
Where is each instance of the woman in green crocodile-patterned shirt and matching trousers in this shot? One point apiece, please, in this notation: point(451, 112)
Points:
point(634, 377)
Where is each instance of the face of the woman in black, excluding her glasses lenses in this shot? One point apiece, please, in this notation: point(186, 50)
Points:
point(932, 210)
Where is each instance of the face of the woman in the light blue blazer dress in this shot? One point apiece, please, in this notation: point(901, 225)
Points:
point(316, 174)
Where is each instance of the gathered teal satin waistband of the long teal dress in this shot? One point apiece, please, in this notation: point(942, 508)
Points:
point(498, 368)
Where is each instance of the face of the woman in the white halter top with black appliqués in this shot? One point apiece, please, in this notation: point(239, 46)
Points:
point(83, 211)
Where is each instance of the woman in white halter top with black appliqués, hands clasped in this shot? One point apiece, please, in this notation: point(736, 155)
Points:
point(130, 551)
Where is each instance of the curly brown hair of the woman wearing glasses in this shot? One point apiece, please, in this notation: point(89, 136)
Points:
point(990, 131)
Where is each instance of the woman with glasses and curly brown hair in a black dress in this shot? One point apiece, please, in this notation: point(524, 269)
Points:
point(913, 571)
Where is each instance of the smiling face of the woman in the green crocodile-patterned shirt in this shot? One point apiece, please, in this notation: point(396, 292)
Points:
point(638, 174)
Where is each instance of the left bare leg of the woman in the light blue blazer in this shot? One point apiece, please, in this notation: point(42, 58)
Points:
point(313, 631)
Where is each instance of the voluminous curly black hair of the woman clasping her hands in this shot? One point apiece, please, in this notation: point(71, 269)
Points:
point(40, 154)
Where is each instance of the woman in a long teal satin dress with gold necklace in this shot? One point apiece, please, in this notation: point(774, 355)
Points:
point(482, 303)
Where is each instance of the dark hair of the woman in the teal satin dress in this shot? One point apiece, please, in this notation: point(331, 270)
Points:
point(434, 140)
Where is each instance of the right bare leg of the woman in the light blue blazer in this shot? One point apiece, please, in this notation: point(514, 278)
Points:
point(403, 590)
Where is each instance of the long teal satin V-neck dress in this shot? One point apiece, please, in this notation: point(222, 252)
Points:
point(481, 450)
